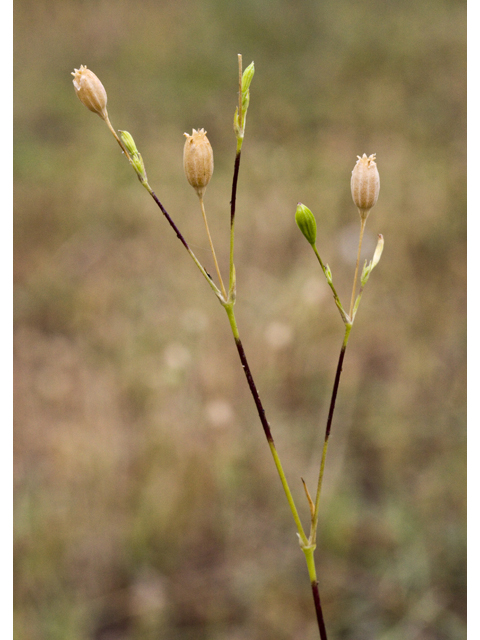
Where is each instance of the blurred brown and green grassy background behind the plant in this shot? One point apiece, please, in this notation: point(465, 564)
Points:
point(146, 502)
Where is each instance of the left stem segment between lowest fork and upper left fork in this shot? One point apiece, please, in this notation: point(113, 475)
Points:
point(264, 421)
